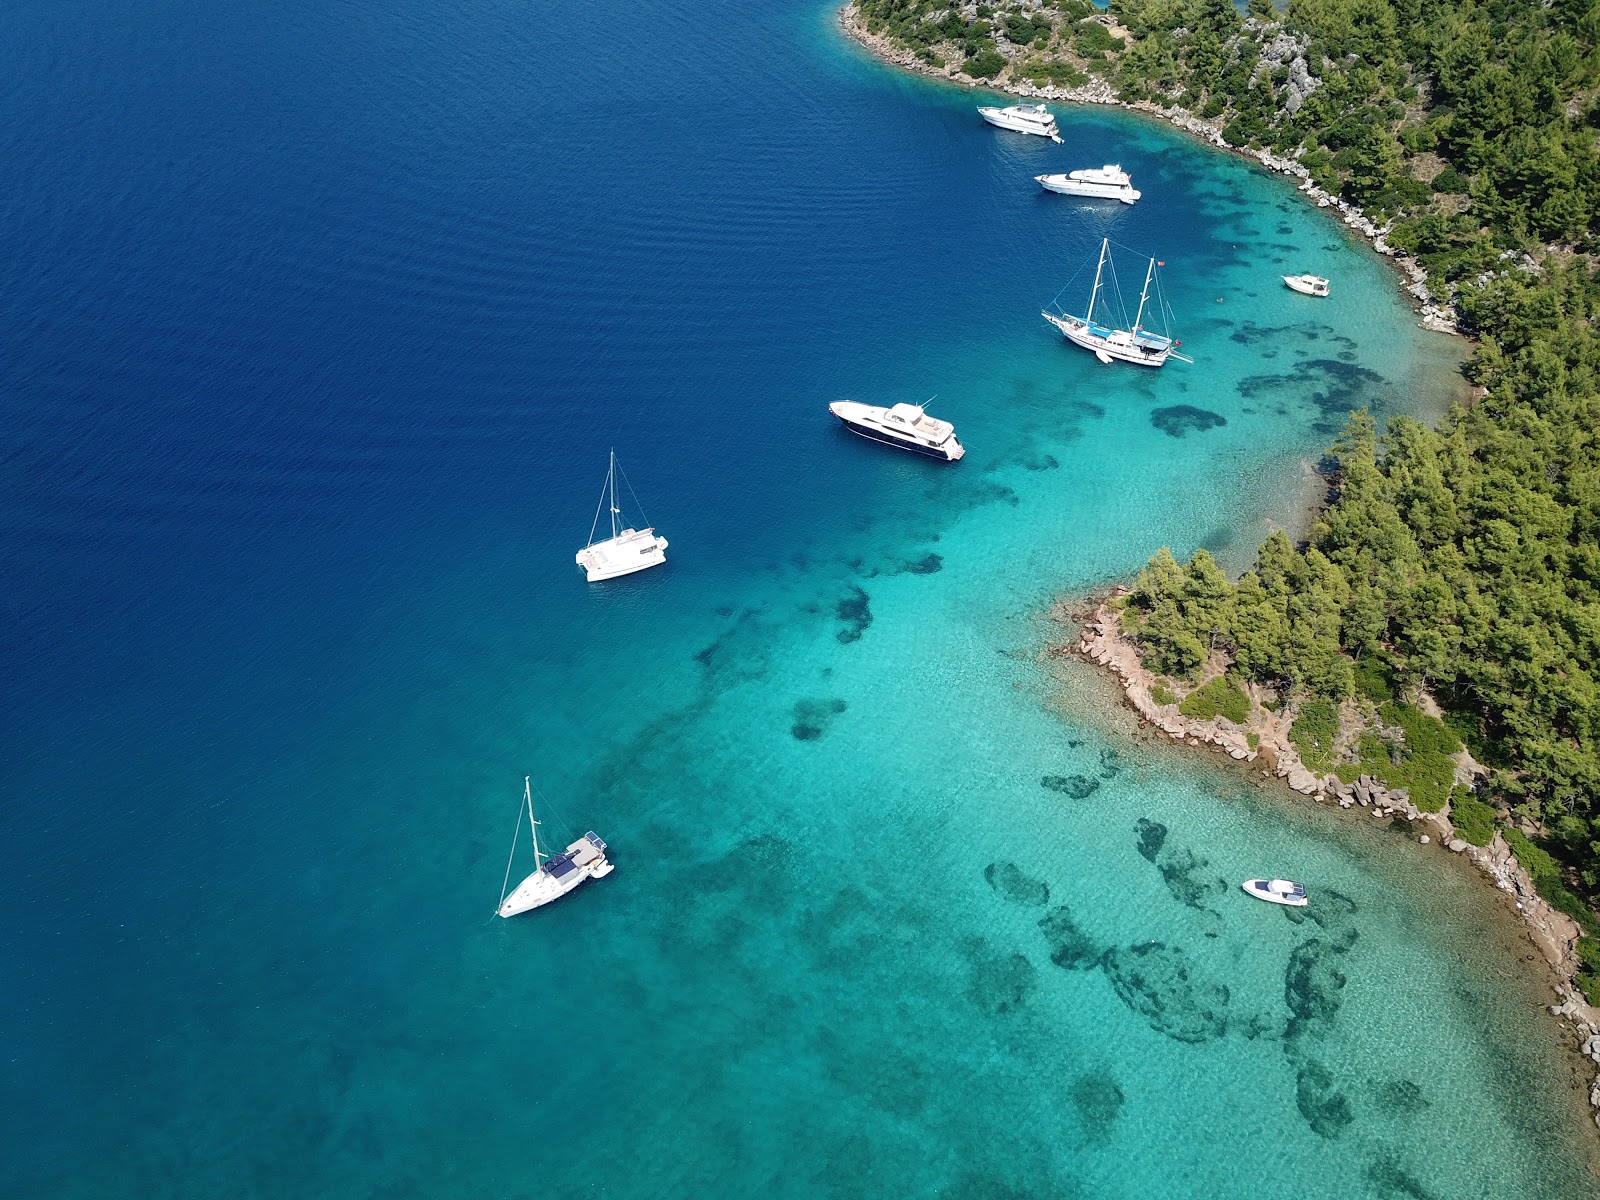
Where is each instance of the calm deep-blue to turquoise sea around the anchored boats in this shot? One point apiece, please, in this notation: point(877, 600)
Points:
point(319, 319)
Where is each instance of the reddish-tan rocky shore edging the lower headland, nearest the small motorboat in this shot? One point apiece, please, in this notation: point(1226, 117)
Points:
point(1263, 746)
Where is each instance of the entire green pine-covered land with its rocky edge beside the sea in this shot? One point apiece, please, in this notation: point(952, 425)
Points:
point(1430, 650)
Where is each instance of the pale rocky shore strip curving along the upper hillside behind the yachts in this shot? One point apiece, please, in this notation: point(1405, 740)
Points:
point(1433, 314)
